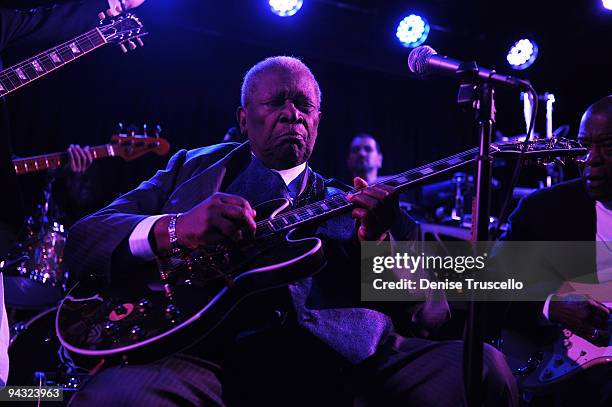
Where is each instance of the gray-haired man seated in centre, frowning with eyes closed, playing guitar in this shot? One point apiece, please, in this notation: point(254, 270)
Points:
point(312, 342)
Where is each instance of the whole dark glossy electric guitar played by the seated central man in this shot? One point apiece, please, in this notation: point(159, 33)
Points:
point(151, 320)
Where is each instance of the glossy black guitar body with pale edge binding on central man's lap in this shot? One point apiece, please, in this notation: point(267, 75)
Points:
point(142, 323)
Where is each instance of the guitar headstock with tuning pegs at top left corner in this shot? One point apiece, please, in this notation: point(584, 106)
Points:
point(124, 29)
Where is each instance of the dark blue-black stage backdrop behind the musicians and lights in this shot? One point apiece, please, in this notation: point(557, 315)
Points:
point(188, 75)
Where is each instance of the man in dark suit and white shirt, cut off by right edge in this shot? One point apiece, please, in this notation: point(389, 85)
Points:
point(578, 211)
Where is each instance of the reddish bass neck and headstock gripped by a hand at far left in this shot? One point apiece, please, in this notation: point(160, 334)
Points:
point(127, 146)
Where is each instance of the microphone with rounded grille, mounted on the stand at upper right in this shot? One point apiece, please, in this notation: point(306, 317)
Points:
point(425, 60)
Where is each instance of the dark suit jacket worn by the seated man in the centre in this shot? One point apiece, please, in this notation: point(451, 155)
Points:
point(324, 304)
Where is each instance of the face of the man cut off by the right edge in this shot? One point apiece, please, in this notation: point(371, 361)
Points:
point(596, 135)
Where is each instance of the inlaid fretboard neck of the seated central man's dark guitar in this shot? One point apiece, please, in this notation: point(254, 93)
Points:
point(338, 204)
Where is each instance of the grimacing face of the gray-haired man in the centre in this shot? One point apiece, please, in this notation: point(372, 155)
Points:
point(281, 118)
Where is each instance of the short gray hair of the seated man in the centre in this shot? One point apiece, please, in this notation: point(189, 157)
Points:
point(279, 62)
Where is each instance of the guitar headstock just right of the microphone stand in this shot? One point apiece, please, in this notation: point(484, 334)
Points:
point(544, 150)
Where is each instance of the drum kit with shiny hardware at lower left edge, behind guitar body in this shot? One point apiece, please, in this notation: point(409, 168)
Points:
point(34, 282)
